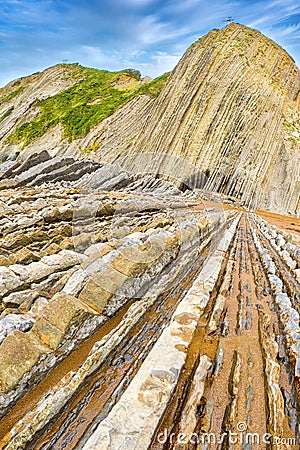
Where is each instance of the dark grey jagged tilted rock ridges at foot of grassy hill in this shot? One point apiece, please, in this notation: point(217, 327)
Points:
point(40, 169)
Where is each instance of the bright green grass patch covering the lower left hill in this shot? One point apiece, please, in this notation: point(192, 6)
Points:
point(96, 95)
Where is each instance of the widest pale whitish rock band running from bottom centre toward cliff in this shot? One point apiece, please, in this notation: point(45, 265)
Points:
point(132, 421)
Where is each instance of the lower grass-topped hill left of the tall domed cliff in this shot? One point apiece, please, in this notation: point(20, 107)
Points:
point(73, 110)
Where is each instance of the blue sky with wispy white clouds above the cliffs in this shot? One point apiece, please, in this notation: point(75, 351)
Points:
point(149, 35)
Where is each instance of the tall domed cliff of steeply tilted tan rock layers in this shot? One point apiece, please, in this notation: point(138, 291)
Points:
point(231, 108)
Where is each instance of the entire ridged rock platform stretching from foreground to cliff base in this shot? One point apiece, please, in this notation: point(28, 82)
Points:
point(133, 314)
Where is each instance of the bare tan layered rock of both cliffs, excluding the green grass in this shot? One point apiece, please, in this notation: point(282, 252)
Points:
point(231, 108)
